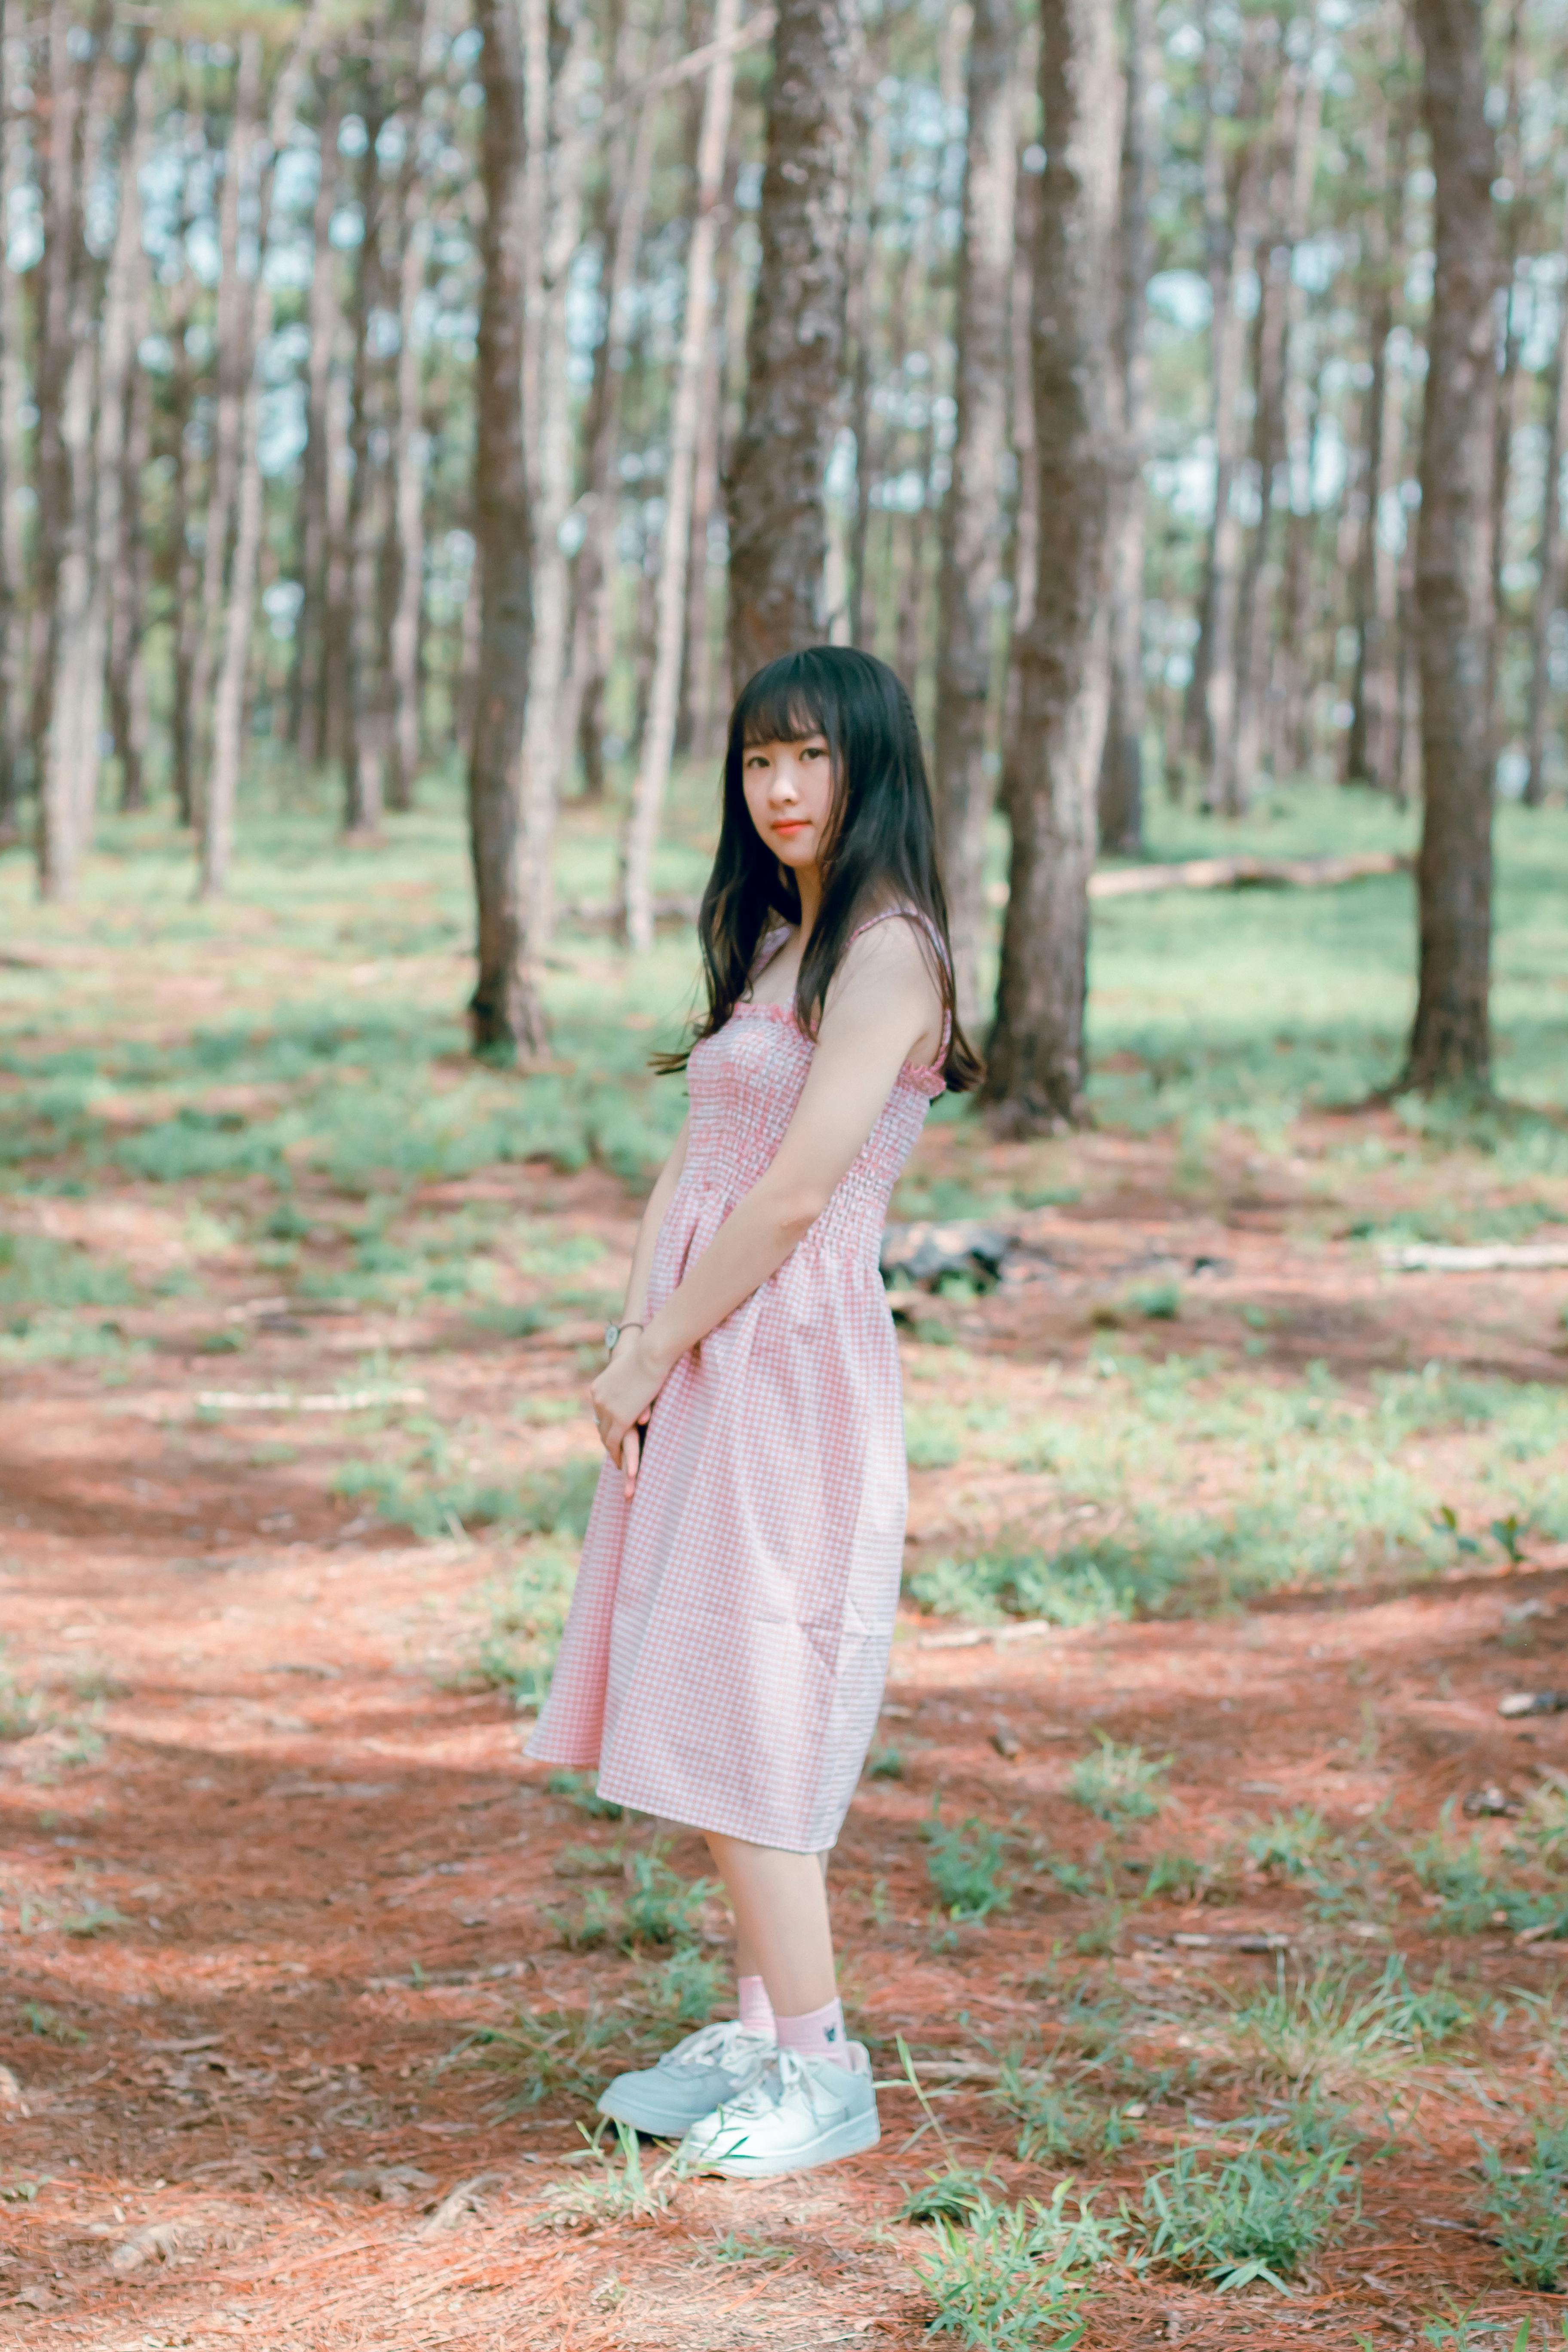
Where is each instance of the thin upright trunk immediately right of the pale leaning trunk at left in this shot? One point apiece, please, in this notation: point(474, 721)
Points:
point(309, 686)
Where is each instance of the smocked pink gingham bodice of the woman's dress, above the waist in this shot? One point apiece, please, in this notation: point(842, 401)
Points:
point(744, 1090)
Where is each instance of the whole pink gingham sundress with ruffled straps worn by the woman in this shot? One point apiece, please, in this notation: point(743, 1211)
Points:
point(730, 1631)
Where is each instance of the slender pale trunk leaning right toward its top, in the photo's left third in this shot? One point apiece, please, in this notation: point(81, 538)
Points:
point(222, 794)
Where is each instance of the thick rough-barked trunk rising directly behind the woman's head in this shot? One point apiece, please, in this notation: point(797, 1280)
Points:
point(796, 340)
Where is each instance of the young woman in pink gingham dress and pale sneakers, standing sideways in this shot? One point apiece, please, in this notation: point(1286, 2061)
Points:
point(730, 1633)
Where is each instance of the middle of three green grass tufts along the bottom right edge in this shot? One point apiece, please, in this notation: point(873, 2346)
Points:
point(1240, 2219)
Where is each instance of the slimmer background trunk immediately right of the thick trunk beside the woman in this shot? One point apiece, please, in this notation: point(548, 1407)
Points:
point(1123, 763)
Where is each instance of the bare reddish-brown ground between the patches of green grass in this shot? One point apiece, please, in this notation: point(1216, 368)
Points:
point(309, 1859)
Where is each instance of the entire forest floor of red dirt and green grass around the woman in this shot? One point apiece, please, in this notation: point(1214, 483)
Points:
point(1195, 1866)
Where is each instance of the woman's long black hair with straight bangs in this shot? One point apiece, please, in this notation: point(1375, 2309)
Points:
point(878, 850)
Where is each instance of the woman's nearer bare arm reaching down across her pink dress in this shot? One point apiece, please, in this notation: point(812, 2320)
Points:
point(880, 1010)
